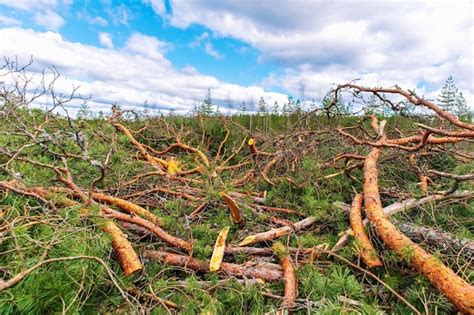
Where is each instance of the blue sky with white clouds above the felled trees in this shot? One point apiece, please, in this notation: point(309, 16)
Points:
point(168, 53)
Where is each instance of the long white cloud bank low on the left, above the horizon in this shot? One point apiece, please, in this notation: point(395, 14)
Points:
point(131, 75)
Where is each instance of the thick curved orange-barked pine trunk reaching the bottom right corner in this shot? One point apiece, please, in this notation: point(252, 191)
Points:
point(457, 290)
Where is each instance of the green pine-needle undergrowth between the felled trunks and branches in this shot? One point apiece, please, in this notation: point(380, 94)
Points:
point(85, 286)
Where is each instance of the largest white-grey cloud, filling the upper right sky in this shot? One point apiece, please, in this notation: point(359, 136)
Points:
point(320, 42)
